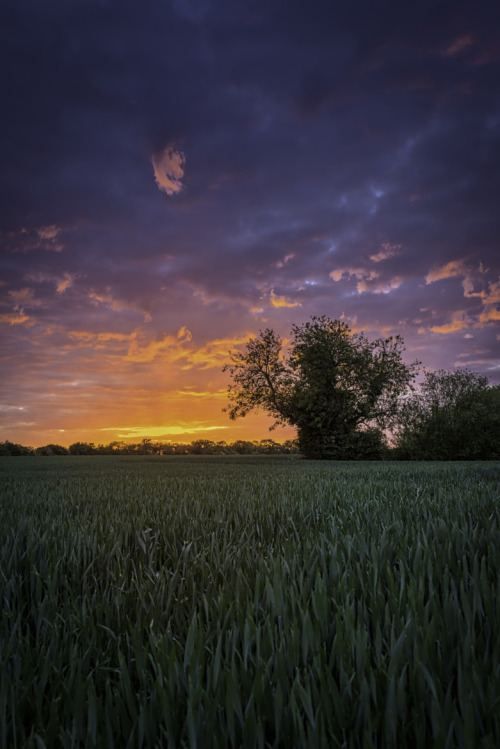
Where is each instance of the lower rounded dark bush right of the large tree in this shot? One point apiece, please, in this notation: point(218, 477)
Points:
point(453, 416)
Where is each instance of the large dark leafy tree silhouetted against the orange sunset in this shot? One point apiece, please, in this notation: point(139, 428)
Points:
point(330, 383)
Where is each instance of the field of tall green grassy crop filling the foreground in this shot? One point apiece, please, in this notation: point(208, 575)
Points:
point(213, 602)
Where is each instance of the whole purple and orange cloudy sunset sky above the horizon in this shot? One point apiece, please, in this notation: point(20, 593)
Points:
point(177, 175)
